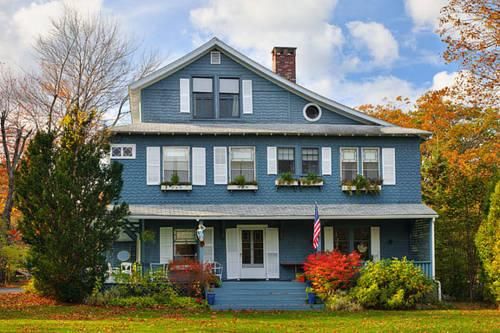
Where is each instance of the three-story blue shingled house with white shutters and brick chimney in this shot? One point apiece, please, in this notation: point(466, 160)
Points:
point(218, 138)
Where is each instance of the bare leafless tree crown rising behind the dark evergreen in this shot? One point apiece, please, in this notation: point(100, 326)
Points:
point(86, 62)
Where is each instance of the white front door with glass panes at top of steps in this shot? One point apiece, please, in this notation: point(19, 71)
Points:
point(252, 253)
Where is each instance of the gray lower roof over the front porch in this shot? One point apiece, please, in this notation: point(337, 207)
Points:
point(277, 212)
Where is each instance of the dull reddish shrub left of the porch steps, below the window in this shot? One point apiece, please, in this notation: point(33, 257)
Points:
point(190, 277)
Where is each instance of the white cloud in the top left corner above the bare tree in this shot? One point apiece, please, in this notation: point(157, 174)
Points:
point(23, 22)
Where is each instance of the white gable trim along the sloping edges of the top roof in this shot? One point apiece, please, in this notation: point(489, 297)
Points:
point(253, 66)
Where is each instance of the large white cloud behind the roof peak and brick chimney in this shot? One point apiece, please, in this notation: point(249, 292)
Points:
point(256, 26)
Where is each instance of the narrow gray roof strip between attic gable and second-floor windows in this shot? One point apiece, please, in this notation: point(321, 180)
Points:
point(267, 129)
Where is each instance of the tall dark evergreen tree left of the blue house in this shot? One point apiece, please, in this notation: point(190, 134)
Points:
point(64, 193)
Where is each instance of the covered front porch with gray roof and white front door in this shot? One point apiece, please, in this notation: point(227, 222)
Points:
point(265, 243)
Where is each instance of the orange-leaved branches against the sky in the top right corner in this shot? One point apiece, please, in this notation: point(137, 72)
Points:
point(470, 28)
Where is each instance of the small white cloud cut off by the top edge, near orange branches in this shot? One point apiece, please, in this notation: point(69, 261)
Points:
point(424, 13)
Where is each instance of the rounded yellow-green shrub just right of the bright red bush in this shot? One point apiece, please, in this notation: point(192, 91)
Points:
point(391, 284)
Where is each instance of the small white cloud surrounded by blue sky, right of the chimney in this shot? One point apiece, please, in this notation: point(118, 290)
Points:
point(379, 41)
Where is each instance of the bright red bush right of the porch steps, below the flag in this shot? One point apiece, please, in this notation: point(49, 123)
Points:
point(331, 271)
